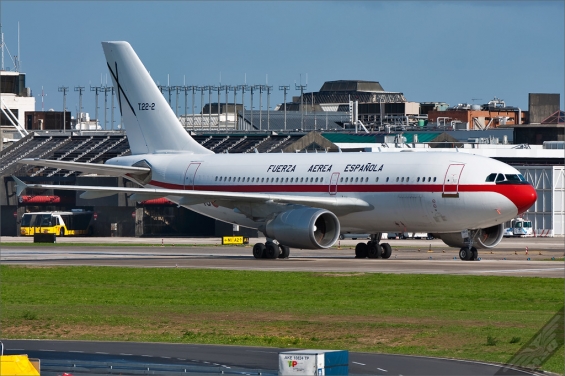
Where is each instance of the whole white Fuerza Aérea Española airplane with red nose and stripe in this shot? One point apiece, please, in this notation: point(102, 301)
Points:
point(302, 200)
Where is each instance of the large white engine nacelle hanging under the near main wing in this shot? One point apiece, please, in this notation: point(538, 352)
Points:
point(307, 228)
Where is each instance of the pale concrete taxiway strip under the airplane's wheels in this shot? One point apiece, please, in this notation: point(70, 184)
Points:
point(409, 256)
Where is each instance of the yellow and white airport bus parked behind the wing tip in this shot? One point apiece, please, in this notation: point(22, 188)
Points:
point(71, 223)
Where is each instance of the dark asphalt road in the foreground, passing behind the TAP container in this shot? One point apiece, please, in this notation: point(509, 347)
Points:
point(241, 358)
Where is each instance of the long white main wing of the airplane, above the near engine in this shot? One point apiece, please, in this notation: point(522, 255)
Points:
point(342, 205)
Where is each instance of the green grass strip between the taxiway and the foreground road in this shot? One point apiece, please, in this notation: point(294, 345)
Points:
point(468, 317)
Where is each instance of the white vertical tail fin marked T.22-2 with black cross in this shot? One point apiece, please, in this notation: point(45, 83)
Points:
point(151, 124)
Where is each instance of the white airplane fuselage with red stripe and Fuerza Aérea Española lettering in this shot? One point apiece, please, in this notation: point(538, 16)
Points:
point(408, 191)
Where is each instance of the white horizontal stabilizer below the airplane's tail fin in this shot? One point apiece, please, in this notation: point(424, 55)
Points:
point(92, 168)
